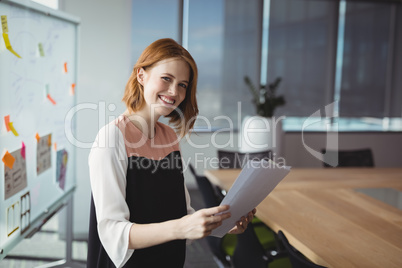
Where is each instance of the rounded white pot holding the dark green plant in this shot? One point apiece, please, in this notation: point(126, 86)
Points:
point(259, 133)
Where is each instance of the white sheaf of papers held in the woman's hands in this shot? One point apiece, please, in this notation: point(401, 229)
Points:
point(254, 183)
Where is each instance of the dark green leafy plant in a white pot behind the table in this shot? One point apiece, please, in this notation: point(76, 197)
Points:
point(262, 132)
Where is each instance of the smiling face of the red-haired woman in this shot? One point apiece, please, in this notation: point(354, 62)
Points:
point(165, 85)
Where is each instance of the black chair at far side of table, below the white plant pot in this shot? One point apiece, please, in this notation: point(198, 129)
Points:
point(233, 159)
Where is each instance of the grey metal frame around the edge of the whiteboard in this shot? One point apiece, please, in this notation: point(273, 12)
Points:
point(64, 200)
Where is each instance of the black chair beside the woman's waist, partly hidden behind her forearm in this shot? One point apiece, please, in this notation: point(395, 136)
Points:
point(221, 248)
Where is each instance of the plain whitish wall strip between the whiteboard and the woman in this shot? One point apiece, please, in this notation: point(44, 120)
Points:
point(103, 69)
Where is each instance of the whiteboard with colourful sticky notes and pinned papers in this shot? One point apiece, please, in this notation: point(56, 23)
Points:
point(38, 98)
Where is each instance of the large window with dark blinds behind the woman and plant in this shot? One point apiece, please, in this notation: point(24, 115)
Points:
point(347, 52)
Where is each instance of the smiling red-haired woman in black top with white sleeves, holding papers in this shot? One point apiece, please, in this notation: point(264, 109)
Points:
point(142, 214)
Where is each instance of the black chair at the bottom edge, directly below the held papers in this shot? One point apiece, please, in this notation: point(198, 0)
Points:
point(250, 253)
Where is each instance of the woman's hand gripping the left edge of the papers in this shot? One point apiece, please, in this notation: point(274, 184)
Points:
point(202, 222)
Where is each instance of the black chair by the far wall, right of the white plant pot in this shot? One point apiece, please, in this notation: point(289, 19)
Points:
point(348, 158)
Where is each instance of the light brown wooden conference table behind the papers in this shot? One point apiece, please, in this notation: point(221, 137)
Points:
point(327, 220)
